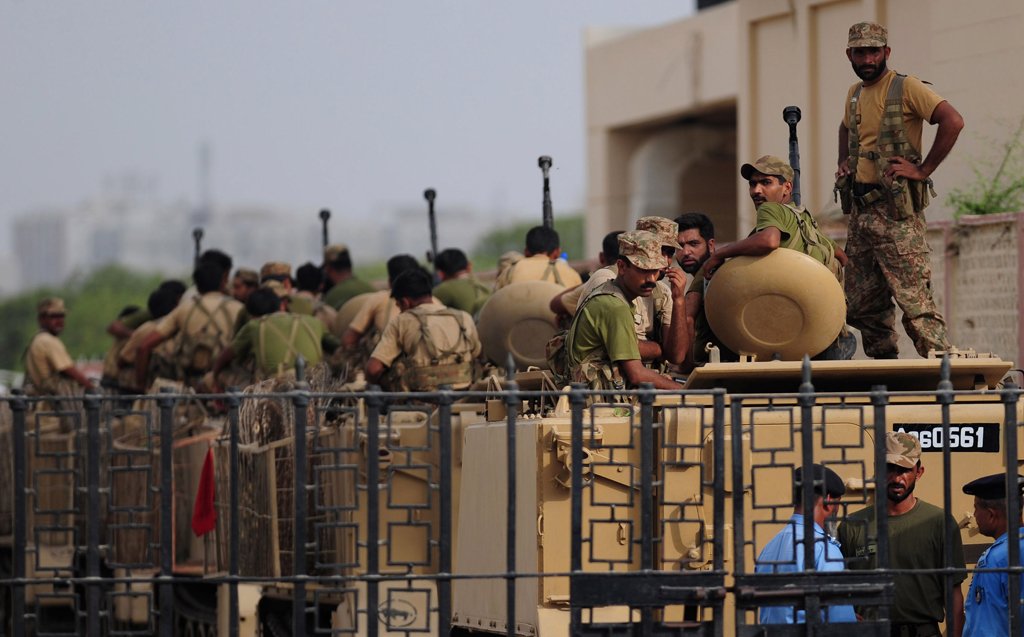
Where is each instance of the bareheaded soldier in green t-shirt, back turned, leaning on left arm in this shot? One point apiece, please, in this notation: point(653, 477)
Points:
point(274, 339)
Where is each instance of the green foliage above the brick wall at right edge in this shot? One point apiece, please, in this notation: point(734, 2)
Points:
point(1003, 192)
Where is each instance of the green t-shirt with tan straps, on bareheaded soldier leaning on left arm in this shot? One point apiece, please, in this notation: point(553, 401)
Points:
point(278, 348)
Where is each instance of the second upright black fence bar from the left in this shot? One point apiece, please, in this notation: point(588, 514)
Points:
point(92, 403)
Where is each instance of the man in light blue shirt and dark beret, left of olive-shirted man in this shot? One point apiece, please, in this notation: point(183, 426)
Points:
point(785, 554)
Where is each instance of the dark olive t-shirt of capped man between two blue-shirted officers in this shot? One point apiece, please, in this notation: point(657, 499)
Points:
point(916, 541)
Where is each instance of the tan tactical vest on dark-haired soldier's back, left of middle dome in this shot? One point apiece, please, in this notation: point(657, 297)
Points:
point(446, 367)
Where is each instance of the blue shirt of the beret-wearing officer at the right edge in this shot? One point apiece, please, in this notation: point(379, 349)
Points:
point(988, 599)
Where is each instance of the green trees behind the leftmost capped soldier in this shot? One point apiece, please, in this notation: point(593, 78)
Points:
point(94, 302)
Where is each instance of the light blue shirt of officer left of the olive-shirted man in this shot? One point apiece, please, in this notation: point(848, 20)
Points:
point(786, 555)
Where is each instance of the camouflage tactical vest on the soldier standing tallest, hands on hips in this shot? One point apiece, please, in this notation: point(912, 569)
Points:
point(907, 197)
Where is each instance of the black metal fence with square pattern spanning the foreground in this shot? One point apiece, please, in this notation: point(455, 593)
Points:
point(494, 512)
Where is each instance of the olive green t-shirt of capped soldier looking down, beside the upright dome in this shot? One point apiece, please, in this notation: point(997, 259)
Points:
point(605, 323)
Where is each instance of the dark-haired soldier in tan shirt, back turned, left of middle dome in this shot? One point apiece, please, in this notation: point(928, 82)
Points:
point(428, 346)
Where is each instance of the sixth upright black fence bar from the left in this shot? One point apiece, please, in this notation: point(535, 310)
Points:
point(374, 404)
